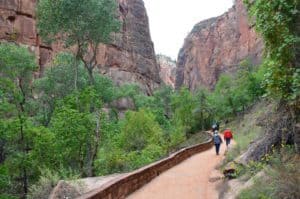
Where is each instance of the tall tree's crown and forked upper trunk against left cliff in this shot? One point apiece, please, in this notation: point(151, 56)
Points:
point(83, 24)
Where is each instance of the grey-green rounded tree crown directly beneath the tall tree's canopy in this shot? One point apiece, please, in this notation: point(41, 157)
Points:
point(57, 83)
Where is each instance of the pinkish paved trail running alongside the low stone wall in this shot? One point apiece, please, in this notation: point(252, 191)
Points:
point(195, 178)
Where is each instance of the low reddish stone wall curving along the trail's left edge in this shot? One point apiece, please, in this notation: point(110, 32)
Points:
point(122, 187)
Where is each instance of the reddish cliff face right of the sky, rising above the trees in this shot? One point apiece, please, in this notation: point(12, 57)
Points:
point(215, 46)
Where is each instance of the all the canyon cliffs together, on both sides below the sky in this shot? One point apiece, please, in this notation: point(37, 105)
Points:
point(213, 46)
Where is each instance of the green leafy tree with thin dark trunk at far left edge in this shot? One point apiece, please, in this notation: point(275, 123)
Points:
point(17, 65)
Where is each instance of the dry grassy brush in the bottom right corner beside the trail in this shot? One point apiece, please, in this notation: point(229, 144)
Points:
point(280, 179)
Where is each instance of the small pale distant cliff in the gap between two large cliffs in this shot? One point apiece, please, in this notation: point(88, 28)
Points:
point(167, 70)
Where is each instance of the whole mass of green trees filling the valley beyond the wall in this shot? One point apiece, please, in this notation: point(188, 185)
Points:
point(66, 127)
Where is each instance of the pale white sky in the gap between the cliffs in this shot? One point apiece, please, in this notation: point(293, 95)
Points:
point(172, 20)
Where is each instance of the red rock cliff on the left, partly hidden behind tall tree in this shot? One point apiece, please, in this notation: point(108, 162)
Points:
point(130, 57)
